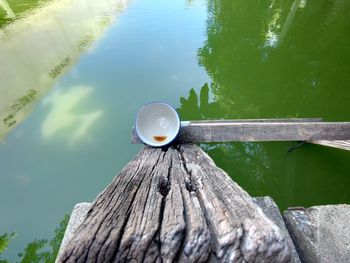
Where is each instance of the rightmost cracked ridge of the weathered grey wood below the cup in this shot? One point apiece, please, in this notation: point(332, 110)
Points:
point(240, 230)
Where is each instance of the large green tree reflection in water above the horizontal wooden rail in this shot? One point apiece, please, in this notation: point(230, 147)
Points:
point(279, 59)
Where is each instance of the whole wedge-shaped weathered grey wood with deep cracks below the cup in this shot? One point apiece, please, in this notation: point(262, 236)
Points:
point(175, 205)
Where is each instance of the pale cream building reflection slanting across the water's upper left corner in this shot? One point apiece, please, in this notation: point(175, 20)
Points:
point(43, 44)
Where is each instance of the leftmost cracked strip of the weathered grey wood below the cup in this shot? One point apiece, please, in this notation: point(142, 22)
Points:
point(97, 238)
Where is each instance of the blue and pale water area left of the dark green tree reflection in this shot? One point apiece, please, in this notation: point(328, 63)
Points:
point(91, 65)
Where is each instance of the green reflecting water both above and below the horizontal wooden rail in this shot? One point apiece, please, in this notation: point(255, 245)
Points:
point(278, 59)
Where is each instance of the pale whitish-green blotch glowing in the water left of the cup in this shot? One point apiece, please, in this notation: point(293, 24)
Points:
point(66, 117)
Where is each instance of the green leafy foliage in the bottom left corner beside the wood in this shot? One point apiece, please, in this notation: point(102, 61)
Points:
point(39, 250)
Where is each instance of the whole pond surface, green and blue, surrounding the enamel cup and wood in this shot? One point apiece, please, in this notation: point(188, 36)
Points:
point(73, 74)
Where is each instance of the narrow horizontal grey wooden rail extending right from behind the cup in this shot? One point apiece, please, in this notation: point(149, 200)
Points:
point(260, 130)
